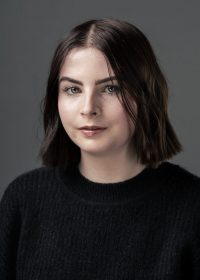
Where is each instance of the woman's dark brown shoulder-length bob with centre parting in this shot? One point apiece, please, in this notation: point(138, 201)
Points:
point(130, 55)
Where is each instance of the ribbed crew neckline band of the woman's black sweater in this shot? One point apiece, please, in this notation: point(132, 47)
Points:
point(109, 193)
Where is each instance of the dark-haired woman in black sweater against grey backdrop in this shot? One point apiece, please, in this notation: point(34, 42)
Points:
point(106, 204)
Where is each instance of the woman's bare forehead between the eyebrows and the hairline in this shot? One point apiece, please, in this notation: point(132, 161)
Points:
point(87, 60)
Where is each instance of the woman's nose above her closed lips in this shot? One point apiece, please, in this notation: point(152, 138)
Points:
point(90, 105)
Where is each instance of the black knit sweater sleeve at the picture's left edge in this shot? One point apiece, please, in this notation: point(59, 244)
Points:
point(9, 232)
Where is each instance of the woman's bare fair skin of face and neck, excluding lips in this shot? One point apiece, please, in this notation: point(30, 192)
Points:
point(108, 156)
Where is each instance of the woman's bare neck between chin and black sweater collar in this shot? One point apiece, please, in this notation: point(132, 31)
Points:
point(109, 169)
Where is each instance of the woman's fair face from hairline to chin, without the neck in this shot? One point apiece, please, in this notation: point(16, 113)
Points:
point(87, 97)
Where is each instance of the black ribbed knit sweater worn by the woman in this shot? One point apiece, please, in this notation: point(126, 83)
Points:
point(57, 225)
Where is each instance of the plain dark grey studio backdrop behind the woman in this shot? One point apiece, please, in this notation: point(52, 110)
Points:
point(29, 33)
